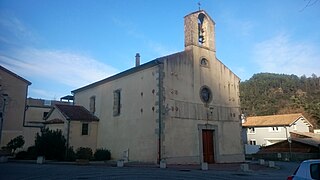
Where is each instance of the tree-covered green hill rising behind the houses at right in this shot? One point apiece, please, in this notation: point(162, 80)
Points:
point(268, 94)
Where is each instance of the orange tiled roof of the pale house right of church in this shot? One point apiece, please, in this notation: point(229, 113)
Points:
point(273, 120)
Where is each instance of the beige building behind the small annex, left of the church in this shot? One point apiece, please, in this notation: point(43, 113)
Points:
point(36, 111)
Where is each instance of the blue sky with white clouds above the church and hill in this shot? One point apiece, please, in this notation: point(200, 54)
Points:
point(61, 45)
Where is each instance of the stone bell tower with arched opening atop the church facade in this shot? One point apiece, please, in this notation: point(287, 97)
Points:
point(199, 30)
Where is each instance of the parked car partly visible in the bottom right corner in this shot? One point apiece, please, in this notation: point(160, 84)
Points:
point(309, 169)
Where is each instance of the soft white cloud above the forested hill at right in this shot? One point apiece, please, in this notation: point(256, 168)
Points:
point(280, 54)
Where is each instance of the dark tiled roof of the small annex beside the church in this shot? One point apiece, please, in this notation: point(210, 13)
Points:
point(76, 113)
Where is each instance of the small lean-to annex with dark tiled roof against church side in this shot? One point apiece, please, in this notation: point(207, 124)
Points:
point(77, 124)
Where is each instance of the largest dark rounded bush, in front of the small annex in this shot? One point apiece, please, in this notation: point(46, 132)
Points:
point(51, 144)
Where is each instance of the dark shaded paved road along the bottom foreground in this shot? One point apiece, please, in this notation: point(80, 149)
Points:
point(25, 171)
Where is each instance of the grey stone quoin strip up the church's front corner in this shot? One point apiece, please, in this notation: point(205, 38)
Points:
point(160, 91)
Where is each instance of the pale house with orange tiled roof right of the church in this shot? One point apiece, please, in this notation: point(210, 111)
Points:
point(267, 130)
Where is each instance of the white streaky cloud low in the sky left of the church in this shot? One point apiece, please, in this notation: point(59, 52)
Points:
point(71, 69)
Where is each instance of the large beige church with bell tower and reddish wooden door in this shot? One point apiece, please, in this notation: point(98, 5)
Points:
point(181, 108)
